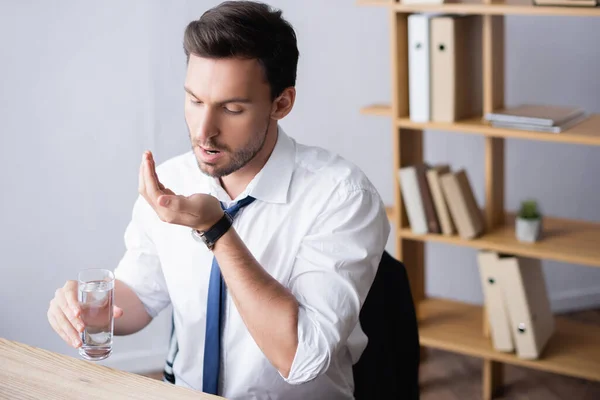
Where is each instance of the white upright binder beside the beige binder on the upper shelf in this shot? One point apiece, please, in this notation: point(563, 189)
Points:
point(419, 67)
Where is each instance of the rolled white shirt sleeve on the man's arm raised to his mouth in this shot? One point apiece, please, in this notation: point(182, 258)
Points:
point(333, 271)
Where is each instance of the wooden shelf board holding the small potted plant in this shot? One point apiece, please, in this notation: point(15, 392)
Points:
point(569, 241)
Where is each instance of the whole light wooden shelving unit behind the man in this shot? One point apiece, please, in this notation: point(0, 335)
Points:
point(574, 349)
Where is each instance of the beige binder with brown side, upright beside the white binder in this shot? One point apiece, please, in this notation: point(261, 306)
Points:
point(456, 90)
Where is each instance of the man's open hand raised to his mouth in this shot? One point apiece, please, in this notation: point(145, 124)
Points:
point(198, 211)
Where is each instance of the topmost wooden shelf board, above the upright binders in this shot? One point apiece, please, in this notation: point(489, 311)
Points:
point(518, 7)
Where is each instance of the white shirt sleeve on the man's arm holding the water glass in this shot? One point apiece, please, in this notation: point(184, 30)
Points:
point(140, 267)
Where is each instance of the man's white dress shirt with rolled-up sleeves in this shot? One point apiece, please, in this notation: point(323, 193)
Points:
point(318, 226)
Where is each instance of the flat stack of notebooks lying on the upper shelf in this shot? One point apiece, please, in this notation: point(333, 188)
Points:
point(537, 117)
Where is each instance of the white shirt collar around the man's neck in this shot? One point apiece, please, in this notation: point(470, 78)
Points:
point(272, 182)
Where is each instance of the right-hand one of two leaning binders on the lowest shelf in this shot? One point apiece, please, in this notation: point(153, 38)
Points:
point(524, 288)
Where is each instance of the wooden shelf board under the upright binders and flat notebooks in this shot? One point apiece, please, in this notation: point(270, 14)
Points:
point(586, 132)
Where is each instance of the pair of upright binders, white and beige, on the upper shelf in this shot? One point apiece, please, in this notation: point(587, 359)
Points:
point(444, 67)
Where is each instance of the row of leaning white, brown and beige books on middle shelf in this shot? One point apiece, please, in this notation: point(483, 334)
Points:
point(438, 200)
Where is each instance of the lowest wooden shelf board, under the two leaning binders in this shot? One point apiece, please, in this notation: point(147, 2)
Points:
point(573, 350)
